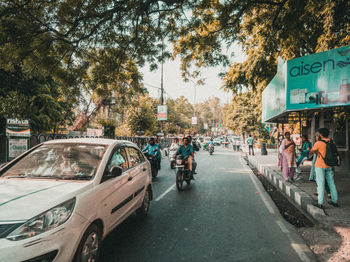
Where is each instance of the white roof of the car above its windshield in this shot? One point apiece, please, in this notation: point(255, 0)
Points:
point(92, 141)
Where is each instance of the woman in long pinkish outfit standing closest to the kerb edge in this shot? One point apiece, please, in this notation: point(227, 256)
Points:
point(288, 163)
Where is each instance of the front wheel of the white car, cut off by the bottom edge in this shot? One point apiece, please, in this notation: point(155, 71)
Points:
point(90, 245)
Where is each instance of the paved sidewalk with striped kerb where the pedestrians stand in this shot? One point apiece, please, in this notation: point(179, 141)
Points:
point(302, 192)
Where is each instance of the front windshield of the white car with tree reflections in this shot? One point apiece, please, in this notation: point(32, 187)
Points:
point(59, 161)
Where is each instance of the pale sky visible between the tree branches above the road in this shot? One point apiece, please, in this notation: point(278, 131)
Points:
point(174, 85)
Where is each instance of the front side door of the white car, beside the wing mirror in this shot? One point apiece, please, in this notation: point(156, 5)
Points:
point(116, 192)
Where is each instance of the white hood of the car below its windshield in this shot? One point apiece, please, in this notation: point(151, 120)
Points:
point(22, 199)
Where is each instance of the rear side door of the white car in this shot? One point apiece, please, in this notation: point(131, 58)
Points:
point(139, 170)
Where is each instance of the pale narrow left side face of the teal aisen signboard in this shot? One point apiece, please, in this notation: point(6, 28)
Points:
point(274, 95)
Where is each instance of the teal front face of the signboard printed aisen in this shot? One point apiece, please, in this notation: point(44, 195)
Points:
point(319, 80)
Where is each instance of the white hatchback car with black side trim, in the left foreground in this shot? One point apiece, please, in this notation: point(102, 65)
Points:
point(61, 198)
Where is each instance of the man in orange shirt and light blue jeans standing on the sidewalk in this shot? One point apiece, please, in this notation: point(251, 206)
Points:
point(323, 171)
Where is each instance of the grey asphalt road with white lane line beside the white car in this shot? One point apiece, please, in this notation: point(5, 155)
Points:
point(224, 215)
